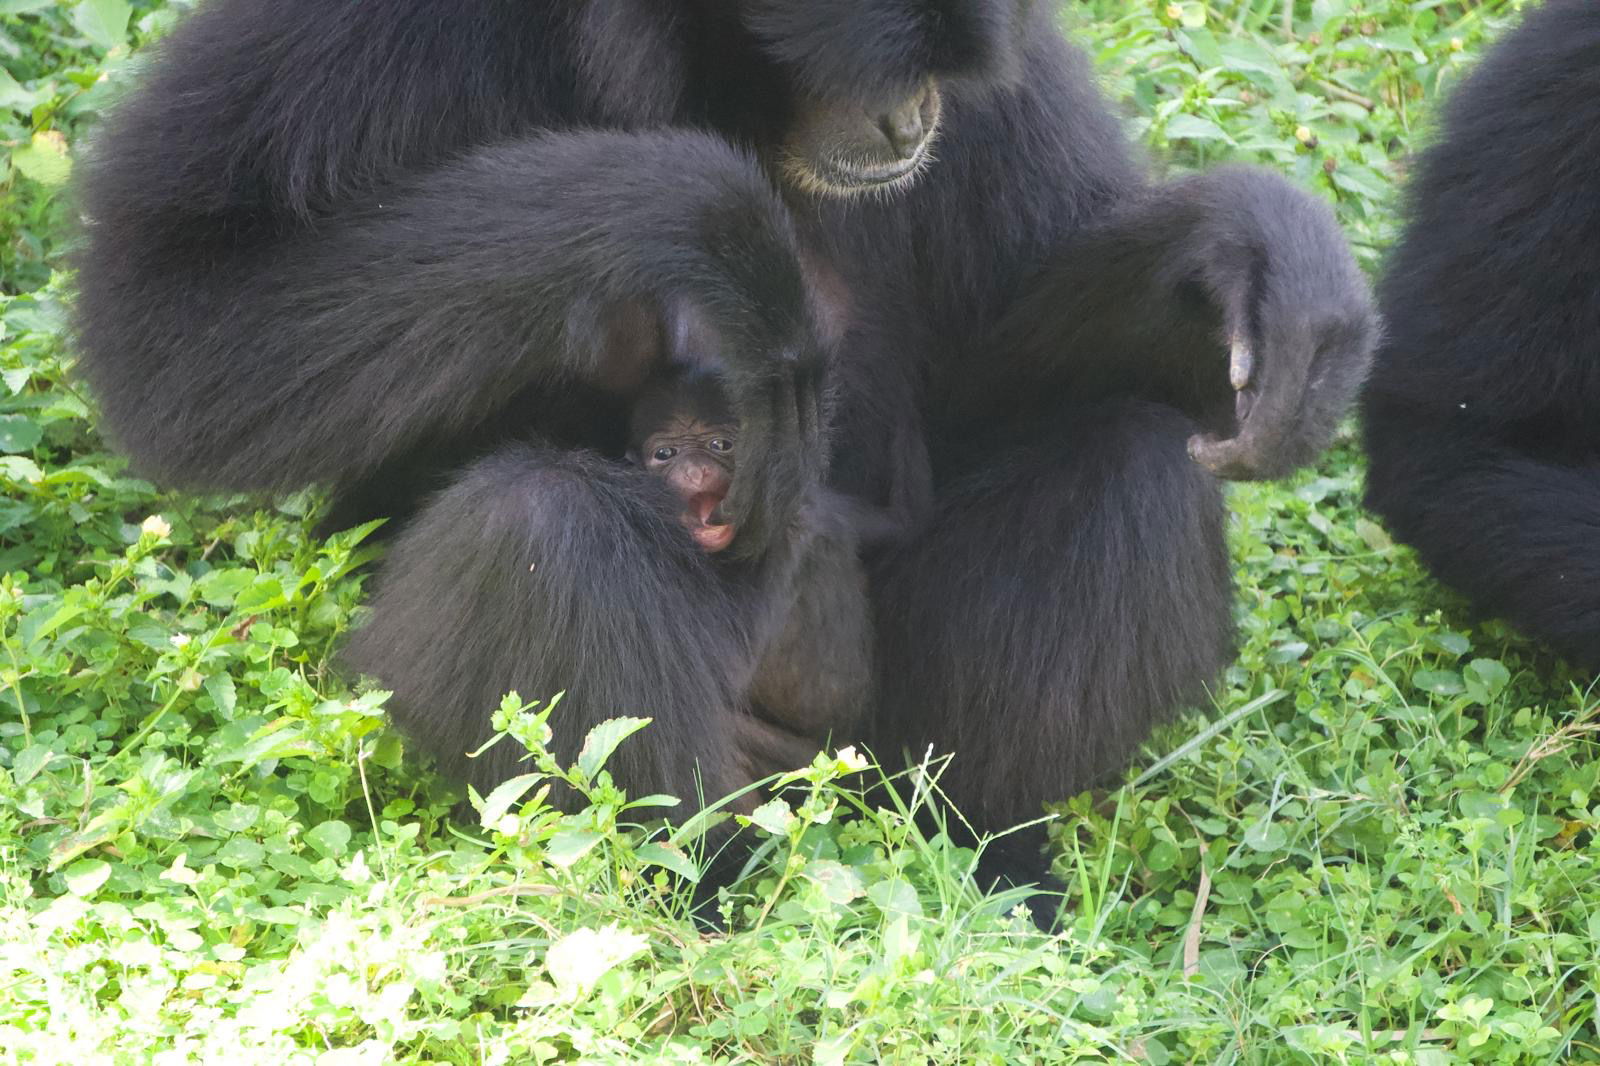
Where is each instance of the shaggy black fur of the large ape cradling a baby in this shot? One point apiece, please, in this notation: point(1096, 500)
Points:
point(351, 242)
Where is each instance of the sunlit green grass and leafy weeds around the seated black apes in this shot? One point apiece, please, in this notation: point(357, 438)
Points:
point(1378, 846)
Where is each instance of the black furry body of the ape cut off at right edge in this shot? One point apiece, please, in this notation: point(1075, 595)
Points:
point(1484, 411)
